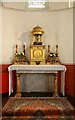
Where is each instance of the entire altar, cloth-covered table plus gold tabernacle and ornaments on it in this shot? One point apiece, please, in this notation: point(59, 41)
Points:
point(40, 62)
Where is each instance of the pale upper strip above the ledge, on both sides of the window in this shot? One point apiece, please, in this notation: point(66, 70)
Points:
point(22, 5)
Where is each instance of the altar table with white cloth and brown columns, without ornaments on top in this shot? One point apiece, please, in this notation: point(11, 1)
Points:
point(50, 69)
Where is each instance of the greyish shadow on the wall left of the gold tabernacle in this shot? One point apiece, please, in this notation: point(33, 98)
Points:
point(24, 39)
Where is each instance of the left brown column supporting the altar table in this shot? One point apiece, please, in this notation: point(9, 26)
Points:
point(18, 89)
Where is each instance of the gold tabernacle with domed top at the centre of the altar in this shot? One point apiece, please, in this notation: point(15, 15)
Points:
point(37, 49)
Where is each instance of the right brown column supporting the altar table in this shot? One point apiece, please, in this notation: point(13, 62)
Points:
point(55, 94)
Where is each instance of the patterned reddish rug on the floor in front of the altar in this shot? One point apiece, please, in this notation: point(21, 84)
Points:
point(38, 108)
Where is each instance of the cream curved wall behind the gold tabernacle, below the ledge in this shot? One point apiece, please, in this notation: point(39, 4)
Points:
point(58, 27)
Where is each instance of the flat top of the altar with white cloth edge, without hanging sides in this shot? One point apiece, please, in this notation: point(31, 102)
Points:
point(37, 67)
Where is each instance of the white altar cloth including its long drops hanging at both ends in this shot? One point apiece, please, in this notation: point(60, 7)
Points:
point(37, 69)
